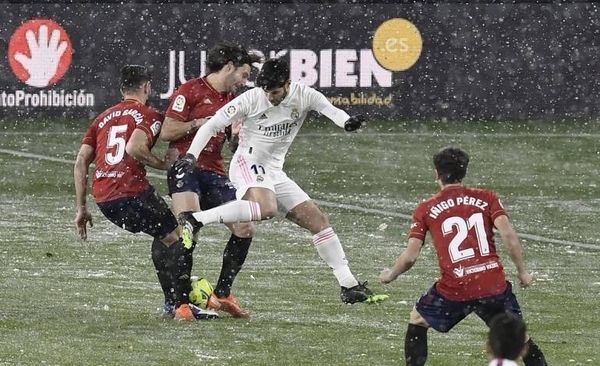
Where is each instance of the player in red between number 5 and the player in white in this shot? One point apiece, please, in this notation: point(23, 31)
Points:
point(228, 67)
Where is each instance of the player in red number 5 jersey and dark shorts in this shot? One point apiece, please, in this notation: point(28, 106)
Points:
point(119, 141)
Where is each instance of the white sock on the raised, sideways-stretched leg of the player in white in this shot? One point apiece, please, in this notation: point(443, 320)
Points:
point(230, 213)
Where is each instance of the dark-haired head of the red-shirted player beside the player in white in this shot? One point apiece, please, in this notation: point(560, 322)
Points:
point(230, 66)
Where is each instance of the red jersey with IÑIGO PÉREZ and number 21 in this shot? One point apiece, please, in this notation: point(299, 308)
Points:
point(460, 221)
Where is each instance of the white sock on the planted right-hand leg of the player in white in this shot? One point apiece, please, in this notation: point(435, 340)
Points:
point(330, 249)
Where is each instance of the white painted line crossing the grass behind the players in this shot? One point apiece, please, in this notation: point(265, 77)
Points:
point(325, 203)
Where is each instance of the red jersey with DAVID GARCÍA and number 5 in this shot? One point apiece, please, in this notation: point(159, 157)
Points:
point(117, 174)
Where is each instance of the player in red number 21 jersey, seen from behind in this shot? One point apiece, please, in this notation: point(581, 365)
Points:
point(460, 221)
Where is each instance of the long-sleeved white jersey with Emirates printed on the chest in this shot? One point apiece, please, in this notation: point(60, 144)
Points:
point(268, 130)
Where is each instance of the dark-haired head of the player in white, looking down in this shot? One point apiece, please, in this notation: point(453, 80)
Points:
point(274, 79)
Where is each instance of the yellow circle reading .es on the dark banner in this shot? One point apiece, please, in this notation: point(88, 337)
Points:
point(397, 44)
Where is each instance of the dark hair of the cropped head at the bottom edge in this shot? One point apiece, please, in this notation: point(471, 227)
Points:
point(507, 336)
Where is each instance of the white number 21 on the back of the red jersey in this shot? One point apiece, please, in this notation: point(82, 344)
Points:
point(462, 227)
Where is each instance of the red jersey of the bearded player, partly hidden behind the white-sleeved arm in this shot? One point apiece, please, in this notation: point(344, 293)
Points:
point(193, 100)
